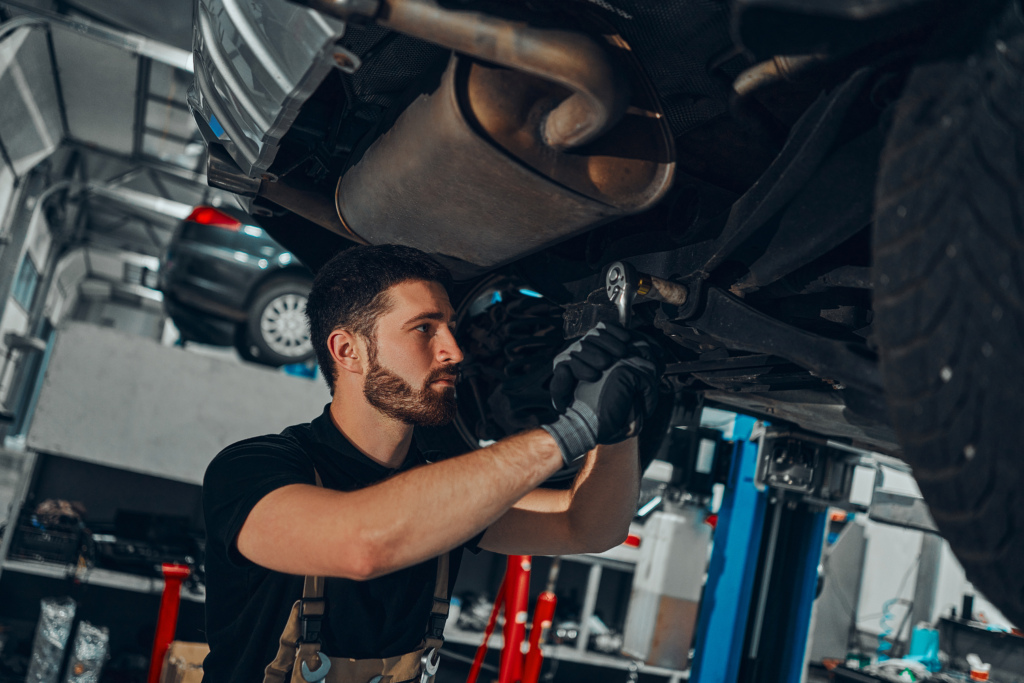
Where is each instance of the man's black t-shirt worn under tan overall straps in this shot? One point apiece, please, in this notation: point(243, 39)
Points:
point(248, 606)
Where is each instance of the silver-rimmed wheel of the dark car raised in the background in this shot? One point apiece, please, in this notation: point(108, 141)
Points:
point(276, 332)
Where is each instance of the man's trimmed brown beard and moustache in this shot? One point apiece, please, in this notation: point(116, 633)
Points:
point(397, 399)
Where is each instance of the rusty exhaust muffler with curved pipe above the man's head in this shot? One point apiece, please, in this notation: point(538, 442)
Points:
point(534, 136)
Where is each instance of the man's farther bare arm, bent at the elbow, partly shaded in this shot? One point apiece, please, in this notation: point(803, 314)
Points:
point(592, 517)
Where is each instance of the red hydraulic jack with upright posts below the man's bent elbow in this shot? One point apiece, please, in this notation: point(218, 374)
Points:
point(515, 593)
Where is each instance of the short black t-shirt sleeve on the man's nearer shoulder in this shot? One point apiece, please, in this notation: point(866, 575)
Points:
point(238, 479)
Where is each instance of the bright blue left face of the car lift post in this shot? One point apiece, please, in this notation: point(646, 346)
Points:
point(734, 564)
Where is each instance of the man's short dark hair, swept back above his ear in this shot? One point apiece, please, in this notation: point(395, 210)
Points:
point(351, 293)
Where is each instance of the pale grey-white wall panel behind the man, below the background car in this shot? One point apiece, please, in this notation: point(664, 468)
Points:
point(127, 402)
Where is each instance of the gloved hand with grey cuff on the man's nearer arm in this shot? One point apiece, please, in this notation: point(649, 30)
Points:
point(600, 412)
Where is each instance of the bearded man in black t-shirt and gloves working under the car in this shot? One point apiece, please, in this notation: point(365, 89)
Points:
point(334, 546)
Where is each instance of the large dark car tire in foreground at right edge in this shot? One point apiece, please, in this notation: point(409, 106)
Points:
point(949, 246)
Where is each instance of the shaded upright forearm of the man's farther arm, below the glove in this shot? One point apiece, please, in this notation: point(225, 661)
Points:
point(605, 497)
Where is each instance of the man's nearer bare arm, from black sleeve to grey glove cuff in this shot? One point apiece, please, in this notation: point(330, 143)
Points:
point(407, 520)
